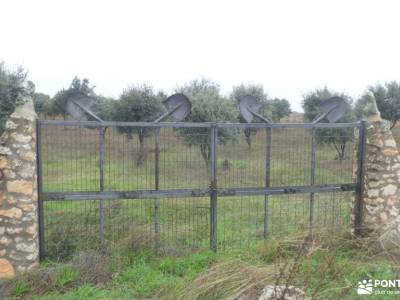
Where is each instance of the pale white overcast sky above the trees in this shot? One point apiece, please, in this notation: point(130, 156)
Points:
point(289, 47)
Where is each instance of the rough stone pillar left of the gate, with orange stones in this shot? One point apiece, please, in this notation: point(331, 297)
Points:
point(19, 244)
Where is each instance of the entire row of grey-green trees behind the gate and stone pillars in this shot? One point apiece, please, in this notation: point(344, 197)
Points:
point(209, 104)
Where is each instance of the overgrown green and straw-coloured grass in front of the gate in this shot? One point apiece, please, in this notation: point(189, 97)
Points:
point(329, 269)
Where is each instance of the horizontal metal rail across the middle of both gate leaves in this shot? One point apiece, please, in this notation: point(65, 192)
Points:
point(181, 193)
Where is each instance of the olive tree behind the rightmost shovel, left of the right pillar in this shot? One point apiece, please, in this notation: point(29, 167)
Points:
point(338, 137)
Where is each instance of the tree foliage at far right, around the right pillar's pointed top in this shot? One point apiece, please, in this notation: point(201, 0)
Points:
point(387, 99)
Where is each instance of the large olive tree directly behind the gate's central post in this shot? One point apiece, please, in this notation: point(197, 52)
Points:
point(208, 105)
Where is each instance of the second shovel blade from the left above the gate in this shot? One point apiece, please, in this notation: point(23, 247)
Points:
point(178, 106)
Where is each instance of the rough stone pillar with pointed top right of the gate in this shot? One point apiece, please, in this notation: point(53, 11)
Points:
point(381, 217)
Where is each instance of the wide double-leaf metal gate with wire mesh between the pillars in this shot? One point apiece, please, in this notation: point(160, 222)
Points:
point(190, 185)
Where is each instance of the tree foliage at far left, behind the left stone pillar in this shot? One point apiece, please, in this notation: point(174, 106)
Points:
point(11, 92)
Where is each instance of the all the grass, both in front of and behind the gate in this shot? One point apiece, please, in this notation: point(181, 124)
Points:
point(185, 269)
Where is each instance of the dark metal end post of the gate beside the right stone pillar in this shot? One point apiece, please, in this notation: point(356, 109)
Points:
point(358, 205)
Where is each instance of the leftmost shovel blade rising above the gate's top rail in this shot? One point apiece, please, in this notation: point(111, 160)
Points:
point(78, 106)
